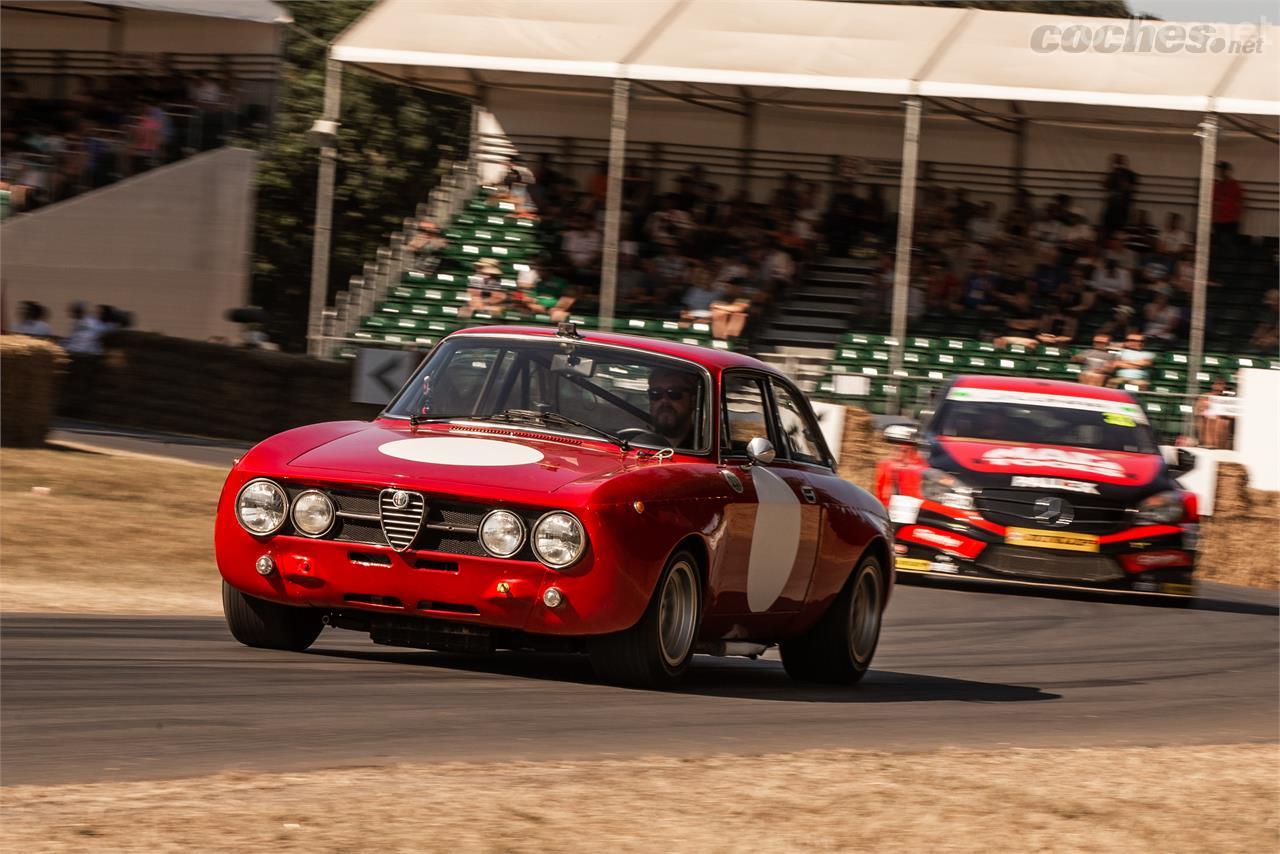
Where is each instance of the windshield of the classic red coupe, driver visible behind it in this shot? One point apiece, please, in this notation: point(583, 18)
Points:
point(643, 399)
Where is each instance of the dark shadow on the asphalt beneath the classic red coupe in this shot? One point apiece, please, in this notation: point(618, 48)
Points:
point(724, 678)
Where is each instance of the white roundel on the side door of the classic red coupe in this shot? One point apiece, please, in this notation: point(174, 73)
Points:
point(775, 540)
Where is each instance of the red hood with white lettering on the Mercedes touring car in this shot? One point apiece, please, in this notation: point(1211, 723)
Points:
point(1116, 468)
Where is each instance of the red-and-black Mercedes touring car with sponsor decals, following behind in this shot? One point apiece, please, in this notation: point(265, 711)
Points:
point(1036, 482)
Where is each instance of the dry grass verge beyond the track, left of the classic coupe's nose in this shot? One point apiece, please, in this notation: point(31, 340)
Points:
point(118, 535)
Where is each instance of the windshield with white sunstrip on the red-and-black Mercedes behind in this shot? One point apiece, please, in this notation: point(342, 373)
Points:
point(1044, 419)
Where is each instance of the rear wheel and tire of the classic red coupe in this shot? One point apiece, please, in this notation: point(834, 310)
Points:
point(840, 647)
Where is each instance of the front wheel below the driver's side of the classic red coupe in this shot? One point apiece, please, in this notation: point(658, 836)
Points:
point(657, 650)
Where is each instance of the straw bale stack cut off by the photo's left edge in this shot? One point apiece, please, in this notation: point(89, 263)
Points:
point(31, 375)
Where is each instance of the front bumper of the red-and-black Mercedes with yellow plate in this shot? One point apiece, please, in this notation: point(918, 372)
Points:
point(1149, 560)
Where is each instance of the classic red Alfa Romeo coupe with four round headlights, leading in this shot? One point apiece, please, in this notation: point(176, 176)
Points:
point(538, 488)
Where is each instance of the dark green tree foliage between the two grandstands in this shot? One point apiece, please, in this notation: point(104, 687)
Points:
point(391, 147)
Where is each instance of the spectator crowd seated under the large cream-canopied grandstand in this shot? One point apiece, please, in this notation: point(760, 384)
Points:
point(1037, 273)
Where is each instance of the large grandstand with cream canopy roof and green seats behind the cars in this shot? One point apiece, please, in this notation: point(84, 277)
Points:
point(831, 323)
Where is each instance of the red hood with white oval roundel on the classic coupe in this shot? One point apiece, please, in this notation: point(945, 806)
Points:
point(481, 463)
